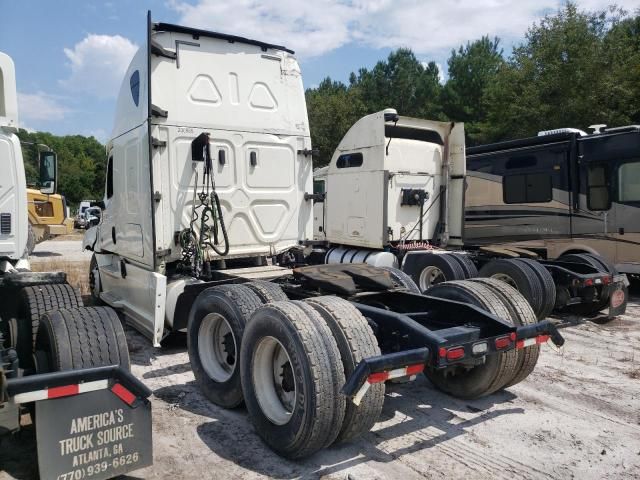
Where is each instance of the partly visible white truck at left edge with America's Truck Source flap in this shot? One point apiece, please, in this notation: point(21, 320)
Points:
point(58, 359)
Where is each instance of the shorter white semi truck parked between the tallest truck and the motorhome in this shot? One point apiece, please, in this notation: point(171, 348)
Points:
point(394, 194)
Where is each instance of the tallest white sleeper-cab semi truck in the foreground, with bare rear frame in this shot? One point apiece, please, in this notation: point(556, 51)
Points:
point(206, 227)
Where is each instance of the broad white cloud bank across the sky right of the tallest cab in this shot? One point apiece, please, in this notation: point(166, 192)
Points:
point(427, 26)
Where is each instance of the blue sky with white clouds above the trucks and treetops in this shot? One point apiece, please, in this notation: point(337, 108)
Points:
point(70, 54)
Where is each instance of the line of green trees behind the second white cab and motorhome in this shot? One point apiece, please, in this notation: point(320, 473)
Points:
point(573, 69)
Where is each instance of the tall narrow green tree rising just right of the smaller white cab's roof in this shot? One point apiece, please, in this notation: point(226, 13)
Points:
point(472, 69)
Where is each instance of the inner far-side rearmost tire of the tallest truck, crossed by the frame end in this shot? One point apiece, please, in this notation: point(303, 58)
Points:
point(497, 370)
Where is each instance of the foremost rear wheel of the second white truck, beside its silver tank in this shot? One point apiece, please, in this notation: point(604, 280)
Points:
point(427, 268)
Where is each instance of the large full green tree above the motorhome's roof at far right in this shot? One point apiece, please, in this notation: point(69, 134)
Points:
point(573, 70)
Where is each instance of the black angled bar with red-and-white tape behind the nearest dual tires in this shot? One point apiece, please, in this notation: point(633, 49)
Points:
point(382, 368)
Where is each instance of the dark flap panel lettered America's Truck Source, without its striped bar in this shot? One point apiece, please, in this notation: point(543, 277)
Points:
point(92, 435)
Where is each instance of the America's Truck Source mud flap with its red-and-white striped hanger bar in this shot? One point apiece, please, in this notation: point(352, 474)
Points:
point(90, 424)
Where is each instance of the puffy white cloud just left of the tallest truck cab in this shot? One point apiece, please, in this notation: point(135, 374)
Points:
point(98, 63)
